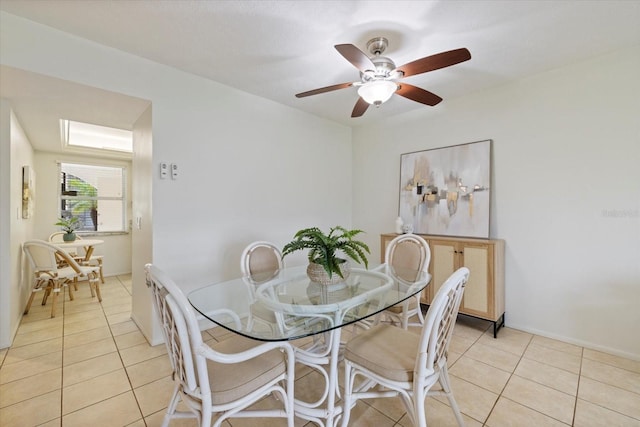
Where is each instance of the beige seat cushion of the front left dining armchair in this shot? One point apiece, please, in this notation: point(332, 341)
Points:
point(230, 382)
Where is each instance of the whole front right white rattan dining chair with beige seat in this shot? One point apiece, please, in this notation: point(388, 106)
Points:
point(396, 362)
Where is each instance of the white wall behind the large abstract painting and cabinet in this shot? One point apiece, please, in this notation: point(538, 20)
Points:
point(566, 189)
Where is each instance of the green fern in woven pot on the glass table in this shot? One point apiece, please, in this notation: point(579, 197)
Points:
point(325, 264)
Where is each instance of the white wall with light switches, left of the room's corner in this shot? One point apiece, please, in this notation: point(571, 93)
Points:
point(250, 168)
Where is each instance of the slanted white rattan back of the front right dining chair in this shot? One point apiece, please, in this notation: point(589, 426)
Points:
point(439, 323)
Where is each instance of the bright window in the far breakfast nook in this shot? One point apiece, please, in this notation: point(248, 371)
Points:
point(95, 194)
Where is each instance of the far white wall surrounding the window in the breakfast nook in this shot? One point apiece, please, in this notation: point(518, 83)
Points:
point(116, 248)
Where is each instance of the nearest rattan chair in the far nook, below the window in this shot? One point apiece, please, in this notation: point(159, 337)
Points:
point(52, 276)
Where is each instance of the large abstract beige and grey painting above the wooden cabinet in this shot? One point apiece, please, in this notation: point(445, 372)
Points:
point(446, 191)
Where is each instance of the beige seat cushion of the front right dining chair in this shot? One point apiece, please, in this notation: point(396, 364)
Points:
point(385, 350)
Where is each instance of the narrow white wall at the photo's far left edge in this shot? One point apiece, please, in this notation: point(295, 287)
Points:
point(15, 152)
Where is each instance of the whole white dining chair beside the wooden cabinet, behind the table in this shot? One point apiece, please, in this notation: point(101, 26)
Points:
point(406, 257)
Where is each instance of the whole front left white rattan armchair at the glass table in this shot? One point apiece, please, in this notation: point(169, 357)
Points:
point(223, 379)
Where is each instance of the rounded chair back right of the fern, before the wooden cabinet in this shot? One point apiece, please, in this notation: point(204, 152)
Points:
point(407, 255)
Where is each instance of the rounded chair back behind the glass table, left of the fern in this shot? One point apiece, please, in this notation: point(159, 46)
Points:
point(261, 261)
